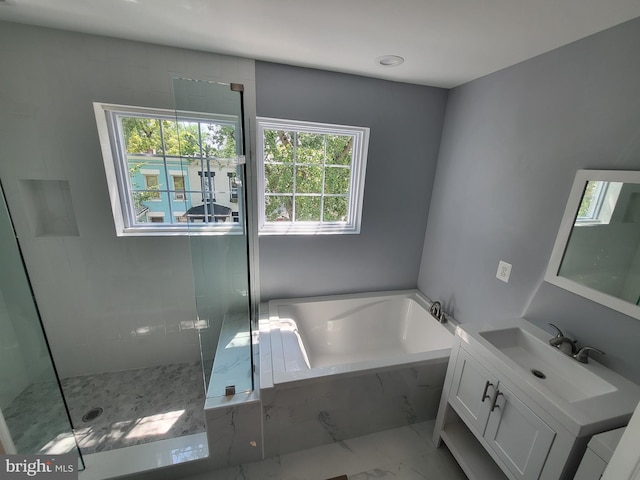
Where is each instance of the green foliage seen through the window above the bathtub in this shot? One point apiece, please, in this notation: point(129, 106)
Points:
point(317, 160)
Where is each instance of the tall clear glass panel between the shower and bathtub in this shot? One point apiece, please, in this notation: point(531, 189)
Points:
point(209, 118)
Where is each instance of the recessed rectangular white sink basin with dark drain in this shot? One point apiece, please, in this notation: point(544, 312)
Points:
point(560, 374)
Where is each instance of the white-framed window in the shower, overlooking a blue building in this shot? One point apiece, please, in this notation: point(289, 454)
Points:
point(161, 169)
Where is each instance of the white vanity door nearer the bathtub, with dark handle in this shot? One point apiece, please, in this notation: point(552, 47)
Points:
point(471, 391)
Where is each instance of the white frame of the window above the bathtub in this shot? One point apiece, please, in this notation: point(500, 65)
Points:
point(356, 185)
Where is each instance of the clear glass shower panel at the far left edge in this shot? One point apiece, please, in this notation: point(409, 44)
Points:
point(35, 416)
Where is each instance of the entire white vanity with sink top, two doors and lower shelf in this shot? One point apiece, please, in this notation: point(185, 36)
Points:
point(514, 407)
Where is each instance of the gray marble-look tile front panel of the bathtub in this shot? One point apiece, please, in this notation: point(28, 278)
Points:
point(333, 409)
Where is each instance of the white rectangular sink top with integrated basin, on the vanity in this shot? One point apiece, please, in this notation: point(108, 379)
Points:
point(585, 398)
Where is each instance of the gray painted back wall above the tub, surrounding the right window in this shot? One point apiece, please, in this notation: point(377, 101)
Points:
point(405, 122)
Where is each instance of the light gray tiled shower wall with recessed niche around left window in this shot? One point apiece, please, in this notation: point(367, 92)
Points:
point(108, 303)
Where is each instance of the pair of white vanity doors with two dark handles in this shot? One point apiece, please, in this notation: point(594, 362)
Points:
point(512, 431)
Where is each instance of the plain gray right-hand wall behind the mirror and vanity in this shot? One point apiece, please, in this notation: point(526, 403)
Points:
point(511, 145)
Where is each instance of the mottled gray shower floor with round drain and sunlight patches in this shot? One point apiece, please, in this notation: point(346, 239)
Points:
point(138, 406)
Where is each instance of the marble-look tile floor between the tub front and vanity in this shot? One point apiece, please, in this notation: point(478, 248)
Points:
point(405, 453)
